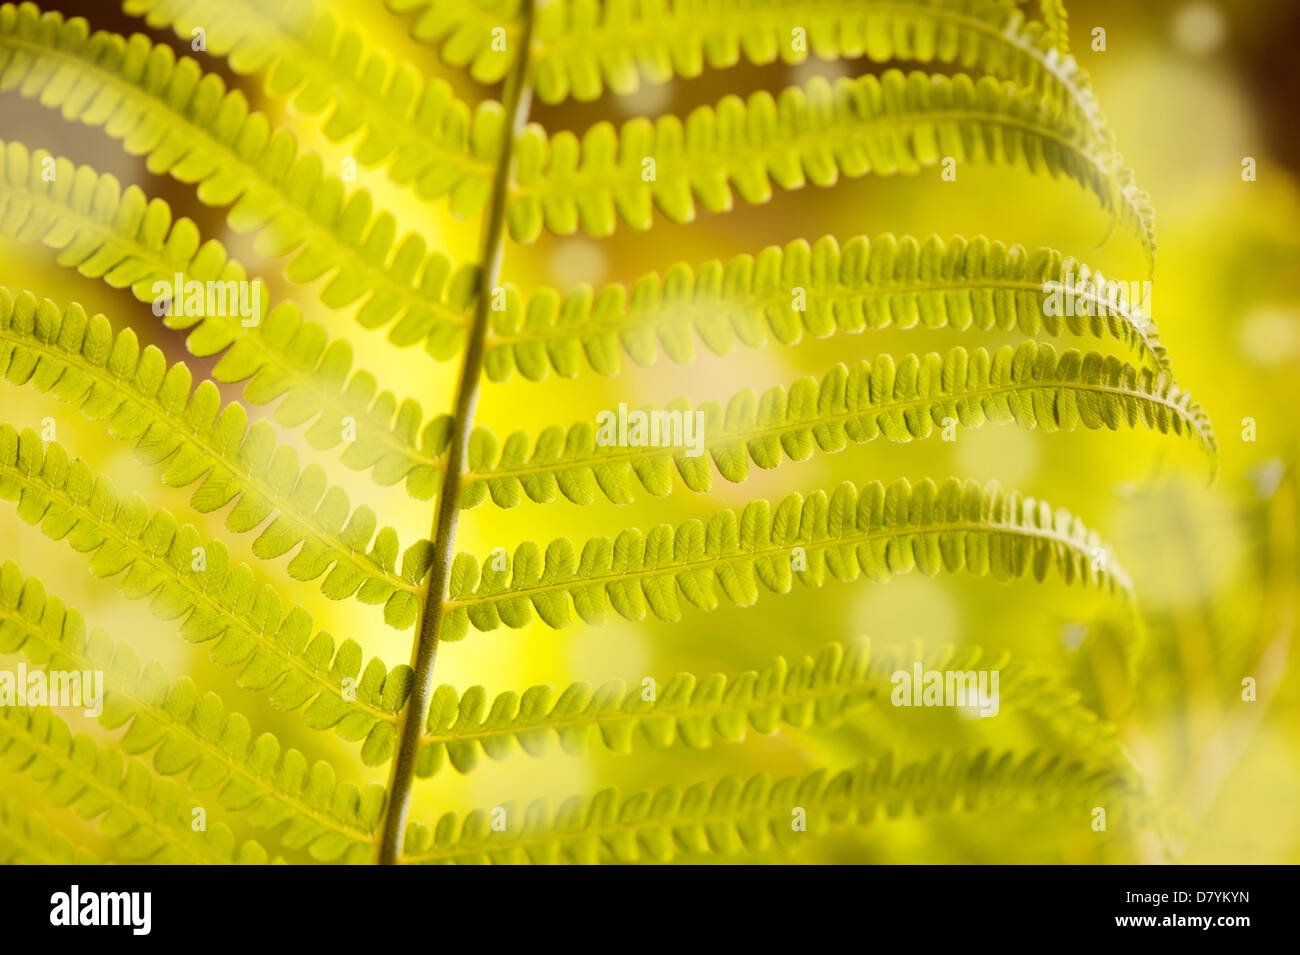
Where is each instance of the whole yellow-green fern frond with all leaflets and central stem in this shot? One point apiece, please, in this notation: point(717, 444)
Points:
point(977, 81)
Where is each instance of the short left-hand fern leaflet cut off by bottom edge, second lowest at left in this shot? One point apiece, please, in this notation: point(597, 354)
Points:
point(146, 821)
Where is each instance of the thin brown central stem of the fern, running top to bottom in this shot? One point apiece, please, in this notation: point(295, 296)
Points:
point(444, 535)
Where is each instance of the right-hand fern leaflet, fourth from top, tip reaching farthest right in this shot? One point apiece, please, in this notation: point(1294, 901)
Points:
point(902, 401)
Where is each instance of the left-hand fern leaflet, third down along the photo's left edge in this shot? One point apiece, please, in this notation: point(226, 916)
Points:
point(189, 433)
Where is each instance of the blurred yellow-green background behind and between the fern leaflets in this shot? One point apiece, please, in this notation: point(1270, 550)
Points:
point(1190, 90)
